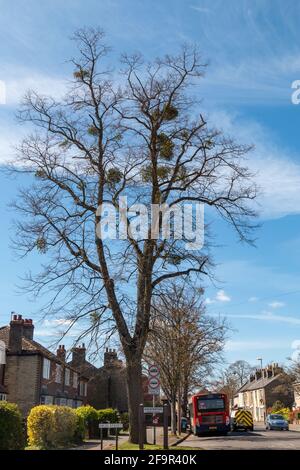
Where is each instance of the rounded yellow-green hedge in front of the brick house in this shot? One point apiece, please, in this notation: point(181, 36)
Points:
point(51, 426)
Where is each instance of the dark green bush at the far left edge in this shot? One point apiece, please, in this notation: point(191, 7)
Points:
point(11, 429)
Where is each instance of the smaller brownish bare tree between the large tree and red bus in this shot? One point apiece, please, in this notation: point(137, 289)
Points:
point(183, 342)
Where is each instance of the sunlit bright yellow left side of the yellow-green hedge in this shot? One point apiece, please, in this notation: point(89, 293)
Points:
point(41, 427)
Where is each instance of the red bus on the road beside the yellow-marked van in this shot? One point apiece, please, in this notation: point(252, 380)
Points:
point(209, 412)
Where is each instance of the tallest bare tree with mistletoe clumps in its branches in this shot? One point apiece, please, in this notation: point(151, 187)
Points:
point(138, 134)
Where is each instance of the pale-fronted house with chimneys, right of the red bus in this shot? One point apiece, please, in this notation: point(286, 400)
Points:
point(264, 388)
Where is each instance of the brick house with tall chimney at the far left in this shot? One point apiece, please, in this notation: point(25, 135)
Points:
point(33, 375)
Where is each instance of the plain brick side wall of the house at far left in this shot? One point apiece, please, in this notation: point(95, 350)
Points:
point(22, 380)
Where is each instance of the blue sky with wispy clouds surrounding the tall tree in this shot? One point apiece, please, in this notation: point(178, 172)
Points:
point(253, 50)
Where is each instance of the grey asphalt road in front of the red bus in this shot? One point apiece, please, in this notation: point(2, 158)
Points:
point(259, 439)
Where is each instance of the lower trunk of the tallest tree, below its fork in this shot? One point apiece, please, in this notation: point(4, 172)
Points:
point(135, 393)
